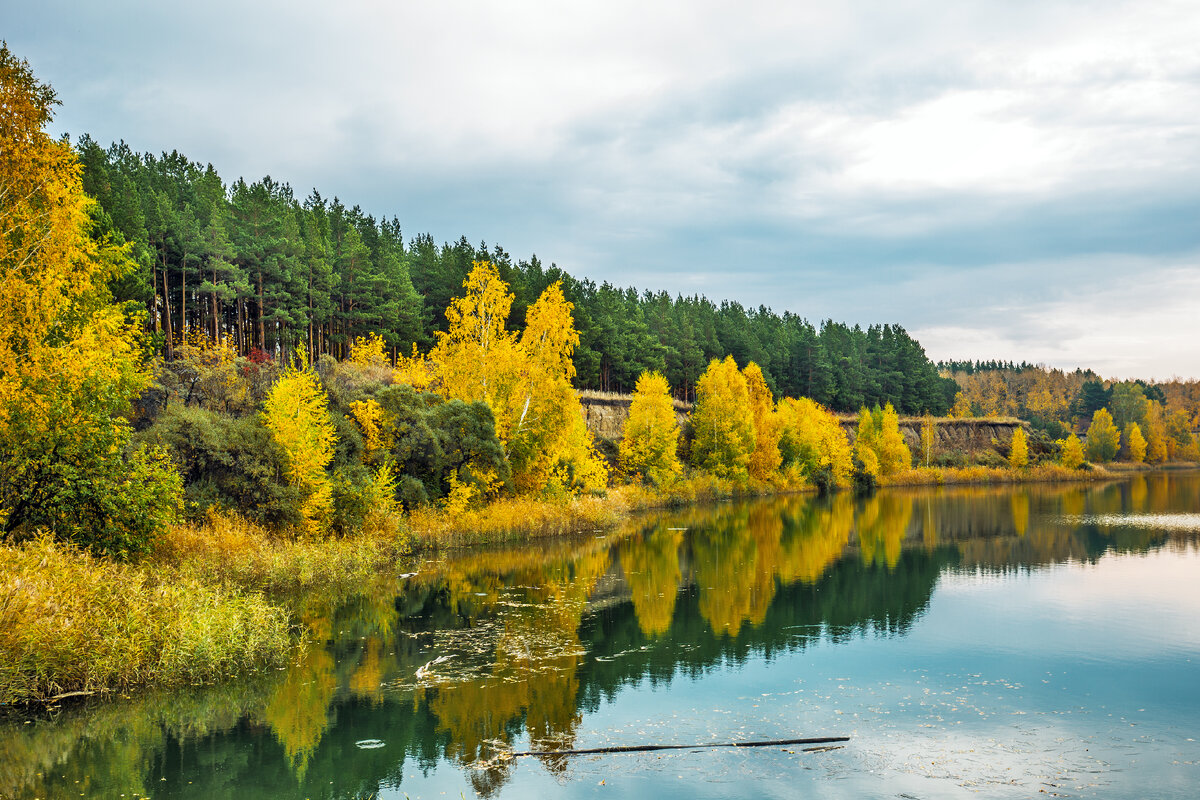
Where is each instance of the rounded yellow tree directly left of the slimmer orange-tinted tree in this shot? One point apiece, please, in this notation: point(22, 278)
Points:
point(723, 422)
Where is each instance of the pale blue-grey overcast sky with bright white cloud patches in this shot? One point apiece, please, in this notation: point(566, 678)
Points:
point(1016, 181)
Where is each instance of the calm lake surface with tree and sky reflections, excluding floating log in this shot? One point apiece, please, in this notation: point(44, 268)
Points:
point(995, 643)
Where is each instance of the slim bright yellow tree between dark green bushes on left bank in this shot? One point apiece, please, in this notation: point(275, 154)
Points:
point(297, 414)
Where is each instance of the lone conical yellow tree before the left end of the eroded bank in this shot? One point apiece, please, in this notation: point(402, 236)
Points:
point(652, 432)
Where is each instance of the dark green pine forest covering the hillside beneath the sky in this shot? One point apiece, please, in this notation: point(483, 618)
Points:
point(255, 266)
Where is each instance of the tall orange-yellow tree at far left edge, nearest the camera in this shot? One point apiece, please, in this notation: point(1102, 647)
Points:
point(70, 360)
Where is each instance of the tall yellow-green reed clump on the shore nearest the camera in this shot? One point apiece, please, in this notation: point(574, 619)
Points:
point(70, 622)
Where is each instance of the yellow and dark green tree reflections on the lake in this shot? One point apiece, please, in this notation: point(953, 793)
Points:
point(487, 651)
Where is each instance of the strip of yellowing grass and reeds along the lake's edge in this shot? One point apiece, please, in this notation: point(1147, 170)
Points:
point(224, 598)
